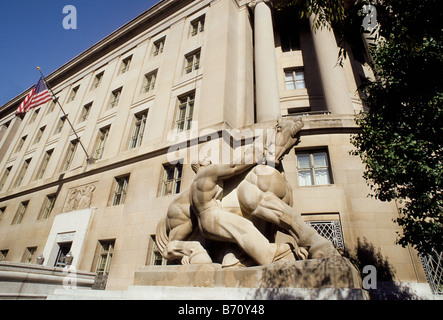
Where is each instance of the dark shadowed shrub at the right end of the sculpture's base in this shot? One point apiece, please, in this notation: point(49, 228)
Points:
point(387, 289)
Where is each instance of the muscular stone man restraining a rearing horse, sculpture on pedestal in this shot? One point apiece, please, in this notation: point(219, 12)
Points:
point(263, 195)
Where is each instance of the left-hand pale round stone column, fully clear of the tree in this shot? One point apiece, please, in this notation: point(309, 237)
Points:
point(266, 78)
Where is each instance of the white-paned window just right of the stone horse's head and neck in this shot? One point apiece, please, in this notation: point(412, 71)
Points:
point(313, 168)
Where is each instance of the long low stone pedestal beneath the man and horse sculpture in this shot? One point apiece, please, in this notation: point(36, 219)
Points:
point(292, 280)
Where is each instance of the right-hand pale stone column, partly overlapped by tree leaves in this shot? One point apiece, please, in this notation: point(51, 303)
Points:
point(335, 86)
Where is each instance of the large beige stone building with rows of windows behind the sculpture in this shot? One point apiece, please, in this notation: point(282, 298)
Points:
point(92, 197)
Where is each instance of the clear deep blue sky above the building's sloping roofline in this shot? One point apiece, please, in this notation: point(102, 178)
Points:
point(32, 34)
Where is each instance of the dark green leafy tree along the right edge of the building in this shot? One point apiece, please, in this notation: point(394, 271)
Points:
point(401, 139)
